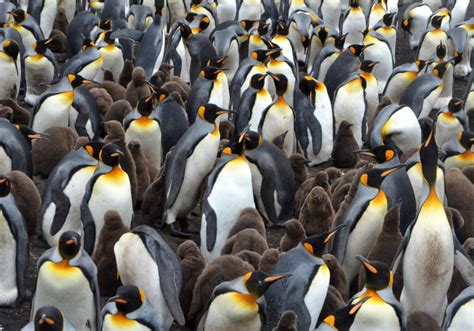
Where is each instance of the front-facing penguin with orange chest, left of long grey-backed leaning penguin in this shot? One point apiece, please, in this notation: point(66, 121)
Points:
point(143, 125)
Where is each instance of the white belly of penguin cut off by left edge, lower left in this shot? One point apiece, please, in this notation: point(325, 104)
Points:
point(8, 286)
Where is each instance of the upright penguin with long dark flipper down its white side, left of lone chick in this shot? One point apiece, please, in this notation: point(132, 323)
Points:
point(314, 120)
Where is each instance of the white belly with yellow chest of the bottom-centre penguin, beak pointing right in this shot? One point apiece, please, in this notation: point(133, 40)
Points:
point(229, 312)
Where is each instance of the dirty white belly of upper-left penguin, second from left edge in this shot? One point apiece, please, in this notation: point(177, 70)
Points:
point(39, 71)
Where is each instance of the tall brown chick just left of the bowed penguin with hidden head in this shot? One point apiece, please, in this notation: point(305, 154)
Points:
point(104, 257)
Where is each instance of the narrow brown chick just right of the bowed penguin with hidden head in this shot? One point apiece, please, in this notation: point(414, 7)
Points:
point(192, 265)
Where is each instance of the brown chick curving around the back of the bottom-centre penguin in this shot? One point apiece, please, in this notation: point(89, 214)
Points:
point(222, 269)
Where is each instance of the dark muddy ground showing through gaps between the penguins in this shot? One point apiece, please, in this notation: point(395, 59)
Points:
point(15, 318)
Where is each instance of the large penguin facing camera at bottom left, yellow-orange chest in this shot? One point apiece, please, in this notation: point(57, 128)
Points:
point(67, 279)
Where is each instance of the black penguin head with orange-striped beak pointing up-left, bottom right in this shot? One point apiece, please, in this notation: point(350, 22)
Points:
point(377, 274)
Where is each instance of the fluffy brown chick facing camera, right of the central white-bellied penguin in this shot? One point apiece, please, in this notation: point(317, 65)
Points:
point(317, 214)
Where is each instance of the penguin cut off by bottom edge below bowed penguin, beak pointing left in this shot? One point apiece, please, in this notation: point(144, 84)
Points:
point(130, 308)
